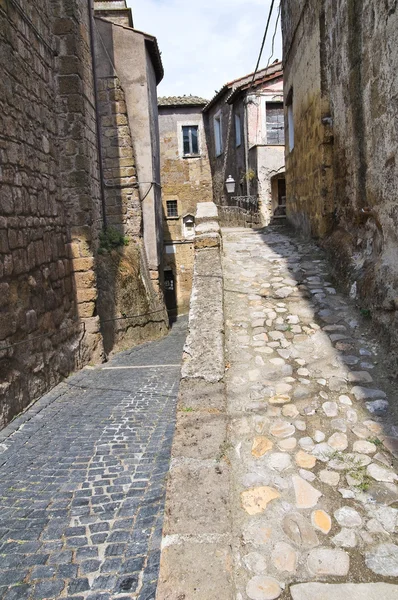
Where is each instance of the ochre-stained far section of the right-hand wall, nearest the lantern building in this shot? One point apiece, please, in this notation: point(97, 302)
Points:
point(308, 163)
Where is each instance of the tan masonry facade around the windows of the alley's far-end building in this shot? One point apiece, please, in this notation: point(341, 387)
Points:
point(187, 180)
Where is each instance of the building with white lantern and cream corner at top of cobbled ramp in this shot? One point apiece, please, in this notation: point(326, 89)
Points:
point(245, 135)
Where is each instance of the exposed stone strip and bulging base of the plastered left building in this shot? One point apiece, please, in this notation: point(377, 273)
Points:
point(129, 308)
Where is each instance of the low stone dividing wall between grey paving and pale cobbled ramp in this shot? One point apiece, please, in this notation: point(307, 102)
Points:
point(196, 546)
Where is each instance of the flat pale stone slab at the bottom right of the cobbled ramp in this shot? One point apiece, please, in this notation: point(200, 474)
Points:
point(337, 591)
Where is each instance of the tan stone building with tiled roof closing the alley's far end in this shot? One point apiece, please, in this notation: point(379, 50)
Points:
point(186, 181)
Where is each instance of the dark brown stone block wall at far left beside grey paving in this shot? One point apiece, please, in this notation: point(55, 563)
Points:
point(41, 337)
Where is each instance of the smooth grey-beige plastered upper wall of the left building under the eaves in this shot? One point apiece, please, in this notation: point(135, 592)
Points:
point(129, 55)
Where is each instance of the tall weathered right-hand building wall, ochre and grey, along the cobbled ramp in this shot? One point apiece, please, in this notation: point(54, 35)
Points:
point(340, 66)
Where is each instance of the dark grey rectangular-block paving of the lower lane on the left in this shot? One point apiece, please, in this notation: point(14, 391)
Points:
point(82, 480)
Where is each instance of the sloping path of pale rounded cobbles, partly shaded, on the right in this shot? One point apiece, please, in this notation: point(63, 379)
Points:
point(313, 438)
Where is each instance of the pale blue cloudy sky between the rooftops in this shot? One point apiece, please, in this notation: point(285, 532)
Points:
point(206, 43)
